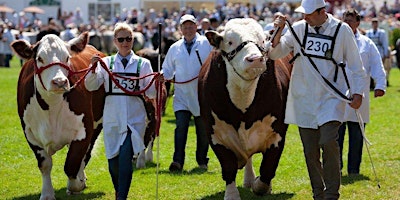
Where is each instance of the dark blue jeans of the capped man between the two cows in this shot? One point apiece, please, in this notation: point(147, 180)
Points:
point(181, 132)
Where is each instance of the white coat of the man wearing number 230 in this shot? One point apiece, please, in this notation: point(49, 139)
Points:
point(311, 102)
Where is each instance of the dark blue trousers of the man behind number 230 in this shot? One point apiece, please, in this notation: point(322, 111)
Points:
point(355, 146)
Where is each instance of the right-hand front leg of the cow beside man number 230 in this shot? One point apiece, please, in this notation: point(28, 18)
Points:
point(269, 164)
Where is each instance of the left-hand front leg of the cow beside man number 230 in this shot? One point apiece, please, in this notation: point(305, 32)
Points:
point(229, 165)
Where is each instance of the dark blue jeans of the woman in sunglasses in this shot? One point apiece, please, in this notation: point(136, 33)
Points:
point(121, 168)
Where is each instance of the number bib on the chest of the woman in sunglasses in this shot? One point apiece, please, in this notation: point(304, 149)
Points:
point(125, 82)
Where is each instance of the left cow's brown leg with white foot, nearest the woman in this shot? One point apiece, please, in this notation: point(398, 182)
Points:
point(75, 165)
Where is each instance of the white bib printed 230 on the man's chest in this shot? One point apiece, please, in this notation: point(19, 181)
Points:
point(318, 45)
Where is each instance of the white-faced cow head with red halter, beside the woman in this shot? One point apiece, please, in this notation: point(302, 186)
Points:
point(51, 58)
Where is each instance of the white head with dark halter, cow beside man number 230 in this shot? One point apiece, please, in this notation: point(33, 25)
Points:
point(241, 44)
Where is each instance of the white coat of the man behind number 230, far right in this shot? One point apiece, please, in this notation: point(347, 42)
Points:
point(373, 66)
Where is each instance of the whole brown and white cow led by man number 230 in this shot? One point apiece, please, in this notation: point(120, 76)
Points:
point(242, 99)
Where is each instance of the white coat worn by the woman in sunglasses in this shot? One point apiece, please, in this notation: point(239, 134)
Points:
point(121, 111)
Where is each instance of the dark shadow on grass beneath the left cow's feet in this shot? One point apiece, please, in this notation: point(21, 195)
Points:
point(61, 194)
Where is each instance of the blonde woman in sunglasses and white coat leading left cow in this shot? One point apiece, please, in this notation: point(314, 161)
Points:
point(125, 114)
